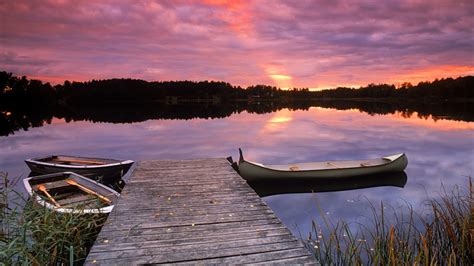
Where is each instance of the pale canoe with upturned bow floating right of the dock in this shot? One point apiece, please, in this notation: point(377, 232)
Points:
point(320, 170)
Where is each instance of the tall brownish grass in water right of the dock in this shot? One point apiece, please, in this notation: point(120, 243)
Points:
point(441, 235)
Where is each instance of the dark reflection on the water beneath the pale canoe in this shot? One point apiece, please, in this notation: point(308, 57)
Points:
point(269, 187)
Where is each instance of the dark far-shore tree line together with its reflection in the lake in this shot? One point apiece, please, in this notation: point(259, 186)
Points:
point(28, 103)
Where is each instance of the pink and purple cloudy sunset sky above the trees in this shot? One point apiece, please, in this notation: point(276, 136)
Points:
point(313, 44)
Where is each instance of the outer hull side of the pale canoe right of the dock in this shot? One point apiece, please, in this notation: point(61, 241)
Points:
point(252, 171)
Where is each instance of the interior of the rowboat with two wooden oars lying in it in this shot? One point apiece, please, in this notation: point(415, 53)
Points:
point(66, 192)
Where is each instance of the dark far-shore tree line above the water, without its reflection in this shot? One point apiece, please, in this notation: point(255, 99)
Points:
point(23, 91)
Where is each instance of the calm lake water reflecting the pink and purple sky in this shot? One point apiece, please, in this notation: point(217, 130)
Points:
point(440, 152)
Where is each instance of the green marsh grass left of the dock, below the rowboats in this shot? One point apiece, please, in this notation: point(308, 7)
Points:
point(33, 234)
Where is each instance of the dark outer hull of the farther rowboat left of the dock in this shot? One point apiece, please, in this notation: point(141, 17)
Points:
point(103, 173)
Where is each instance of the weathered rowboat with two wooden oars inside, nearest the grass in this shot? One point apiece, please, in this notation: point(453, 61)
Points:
point(68, 192)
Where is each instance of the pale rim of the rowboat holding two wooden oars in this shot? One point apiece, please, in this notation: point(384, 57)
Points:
point(50, 206)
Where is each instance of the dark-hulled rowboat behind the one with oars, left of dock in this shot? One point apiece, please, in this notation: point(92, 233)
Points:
point(94, 168)
